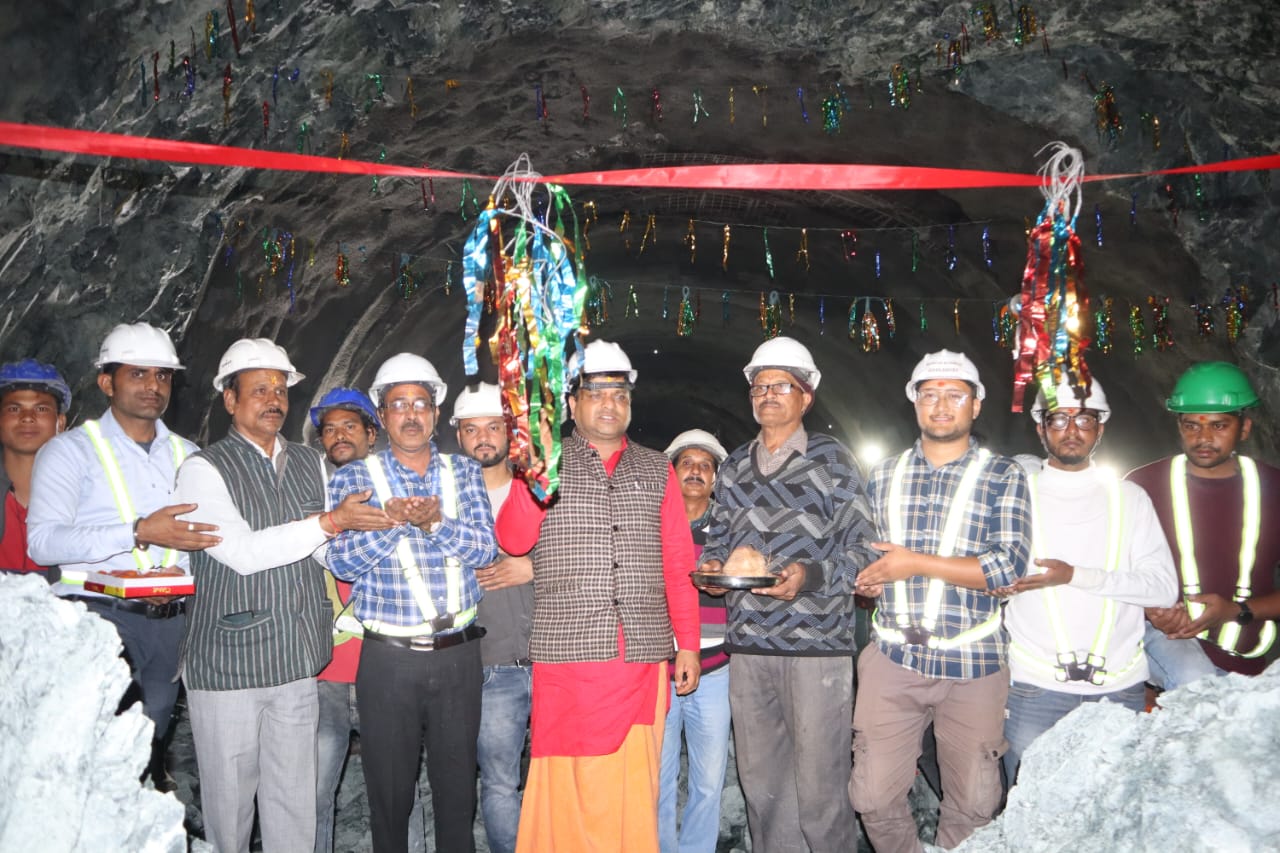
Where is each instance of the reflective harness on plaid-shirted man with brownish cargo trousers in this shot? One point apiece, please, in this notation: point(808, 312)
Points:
point(922, 635)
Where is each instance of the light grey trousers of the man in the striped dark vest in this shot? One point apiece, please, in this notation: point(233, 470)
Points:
point(262, 743)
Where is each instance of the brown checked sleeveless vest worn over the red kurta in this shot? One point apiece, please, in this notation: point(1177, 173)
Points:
point(598, 560)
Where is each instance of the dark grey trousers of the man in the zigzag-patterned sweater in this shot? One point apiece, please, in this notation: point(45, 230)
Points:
point(792, 728)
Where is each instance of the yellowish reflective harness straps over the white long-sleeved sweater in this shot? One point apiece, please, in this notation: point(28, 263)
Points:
point(1068, 665)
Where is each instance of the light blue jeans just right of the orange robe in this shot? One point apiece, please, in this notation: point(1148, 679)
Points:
point(703, 717)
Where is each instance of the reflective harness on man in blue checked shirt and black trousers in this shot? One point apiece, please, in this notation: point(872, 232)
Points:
point(432, 621)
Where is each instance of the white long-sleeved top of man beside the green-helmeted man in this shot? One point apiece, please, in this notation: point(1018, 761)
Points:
point(1075, 518)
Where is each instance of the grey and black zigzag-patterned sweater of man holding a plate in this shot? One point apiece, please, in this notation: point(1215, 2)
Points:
point(812, 512)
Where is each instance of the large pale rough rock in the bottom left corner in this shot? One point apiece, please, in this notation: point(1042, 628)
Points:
point(68, 765)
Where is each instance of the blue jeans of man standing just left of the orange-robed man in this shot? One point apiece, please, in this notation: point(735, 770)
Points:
point(505, 705)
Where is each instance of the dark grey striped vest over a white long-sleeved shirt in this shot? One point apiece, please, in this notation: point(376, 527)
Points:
point(272, 627)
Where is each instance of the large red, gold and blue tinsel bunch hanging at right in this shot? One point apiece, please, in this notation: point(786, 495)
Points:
point(1054, 311)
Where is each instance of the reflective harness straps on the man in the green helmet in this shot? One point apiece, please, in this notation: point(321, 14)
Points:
point(1228, 635)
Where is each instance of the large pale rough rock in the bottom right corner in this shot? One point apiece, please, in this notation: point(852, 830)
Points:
point(1199, 776)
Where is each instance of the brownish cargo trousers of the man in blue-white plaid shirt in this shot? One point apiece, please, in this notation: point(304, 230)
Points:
point(895, 705)
